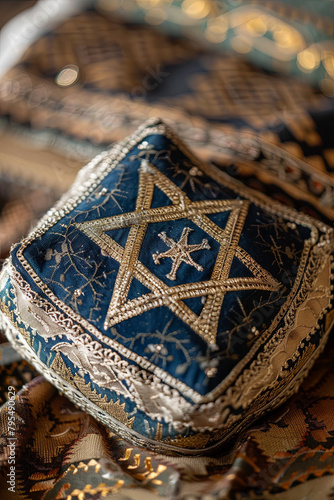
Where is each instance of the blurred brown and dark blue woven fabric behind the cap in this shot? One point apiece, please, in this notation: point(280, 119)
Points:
point(93, 80)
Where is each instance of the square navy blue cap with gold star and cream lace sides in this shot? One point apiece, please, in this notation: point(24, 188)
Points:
point(166, 299)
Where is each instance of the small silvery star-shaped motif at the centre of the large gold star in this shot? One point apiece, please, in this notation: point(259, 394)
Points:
point(180, 252)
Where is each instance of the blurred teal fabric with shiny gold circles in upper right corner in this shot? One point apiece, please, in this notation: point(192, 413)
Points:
point(290, 36)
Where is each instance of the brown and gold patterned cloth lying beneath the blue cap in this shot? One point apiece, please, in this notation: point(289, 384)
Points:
point(62, 453)
